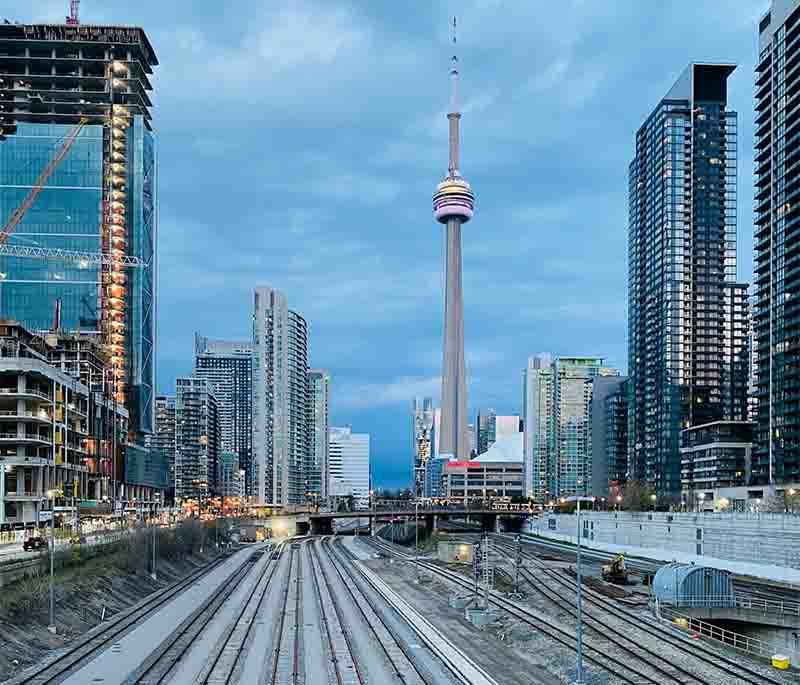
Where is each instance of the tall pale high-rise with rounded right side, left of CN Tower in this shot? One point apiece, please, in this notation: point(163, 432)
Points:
point(281, 436)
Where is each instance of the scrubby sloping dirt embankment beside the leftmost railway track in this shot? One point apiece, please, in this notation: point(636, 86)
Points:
point(81, 595)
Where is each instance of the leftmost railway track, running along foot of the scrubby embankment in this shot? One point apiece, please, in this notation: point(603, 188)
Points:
point(86, 649)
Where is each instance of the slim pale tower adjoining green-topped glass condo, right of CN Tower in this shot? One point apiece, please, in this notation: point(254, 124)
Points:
point(537, 400)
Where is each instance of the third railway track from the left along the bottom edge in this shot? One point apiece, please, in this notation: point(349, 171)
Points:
point(224, 666)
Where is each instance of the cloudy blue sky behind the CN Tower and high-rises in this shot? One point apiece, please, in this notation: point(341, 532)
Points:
point(300, 143)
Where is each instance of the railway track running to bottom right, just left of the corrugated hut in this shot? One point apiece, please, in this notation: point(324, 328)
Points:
point(627, 641)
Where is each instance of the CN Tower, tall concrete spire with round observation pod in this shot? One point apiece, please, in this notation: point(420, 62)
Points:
point(453, 205)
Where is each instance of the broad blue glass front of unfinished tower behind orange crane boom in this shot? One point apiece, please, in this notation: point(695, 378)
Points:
point(66, 214)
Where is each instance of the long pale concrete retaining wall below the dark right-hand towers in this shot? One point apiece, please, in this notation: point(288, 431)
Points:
point(766, 545)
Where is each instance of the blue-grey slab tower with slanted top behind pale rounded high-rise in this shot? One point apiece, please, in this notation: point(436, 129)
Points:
point(228, 367)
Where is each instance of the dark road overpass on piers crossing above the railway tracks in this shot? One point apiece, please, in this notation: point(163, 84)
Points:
point(491, 519)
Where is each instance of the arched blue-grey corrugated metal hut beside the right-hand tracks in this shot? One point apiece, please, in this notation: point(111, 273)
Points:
point(686, 585)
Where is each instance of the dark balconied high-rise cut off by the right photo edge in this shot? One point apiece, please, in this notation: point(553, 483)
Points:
point(776, 451)
